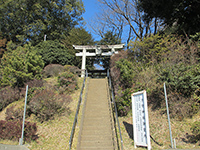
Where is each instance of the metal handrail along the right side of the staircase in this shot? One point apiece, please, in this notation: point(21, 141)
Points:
point(113, 101)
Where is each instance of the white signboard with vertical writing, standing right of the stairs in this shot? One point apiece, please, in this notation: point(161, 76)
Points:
point(140, 120)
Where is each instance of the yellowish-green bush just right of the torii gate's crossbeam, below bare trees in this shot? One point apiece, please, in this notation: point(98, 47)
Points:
point(150, 49)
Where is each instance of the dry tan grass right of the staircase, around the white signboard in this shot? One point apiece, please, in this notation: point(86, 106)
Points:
point(159, 131)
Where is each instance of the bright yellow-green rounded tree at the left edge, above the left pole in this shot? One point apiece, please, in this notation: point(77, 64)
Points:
point(20, 66)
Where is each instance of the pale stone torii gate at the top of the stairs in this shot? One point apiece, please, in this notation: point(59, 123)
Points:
point(96, 50)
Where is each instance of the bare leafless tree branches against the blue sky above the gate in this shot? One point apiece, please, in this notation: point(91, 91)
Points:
point(119, 15)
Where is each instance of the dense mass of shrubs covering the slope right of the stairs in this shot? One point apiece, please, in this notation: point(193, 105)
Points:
point(150, 63)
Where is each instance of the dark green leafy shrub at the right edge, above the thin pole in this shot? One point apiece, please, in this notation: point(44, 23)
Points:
point(181, 78)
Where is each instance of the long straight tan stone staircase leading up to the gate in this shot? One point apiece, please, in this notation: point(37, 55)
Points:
point(96, 126)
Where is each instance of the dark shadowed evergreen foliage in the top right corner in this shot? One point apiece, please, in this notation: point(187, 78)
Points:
point(182, 15)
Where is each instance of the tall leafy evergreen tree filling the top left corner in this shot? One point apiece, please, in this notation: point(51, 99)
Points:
point(31, 20)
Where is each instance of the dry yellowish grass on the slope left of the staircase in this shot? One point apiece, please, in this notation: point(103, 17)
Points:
point(53, 134)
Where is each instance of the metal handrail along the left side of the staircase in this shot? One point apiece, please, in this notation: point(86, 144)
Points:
point(77, 111)
